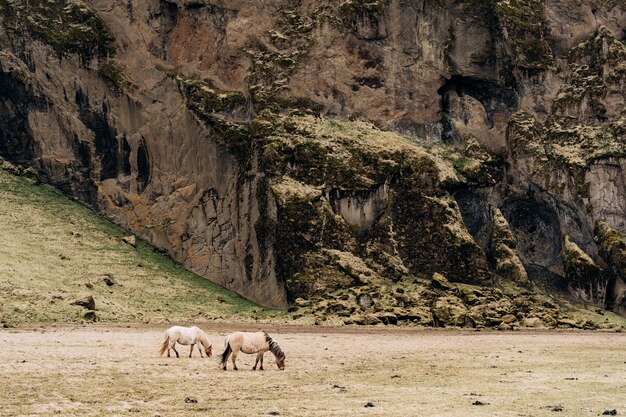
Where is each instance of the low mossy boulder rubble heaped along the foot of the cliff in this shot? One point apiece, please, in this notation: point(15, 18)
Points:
point(420, 302)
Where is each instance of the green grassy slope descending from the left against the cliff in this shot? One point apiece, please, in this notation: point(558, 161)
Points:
point(53, 251)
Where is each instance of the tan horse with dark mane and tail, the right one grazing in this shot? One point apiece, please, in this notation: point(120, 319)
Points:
point(251, 343)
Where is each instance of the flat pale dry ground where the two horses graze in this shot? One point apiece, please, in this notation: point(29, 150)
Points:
point(113, 371)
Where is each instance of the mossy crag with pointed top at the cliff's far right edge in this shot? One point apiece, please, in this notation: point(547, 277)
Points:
point(586, 122)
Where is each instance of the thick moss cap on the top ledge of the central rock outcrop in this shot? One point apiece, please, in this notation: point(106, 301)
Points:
point(351, 155)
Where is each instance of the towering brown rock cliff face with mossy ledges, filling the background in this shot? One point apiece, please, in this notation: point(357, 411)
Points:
point(287, 149)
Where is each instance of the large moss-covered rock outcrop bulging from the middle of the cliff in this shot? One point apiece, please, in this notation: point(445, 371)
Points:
point(307, 159)
